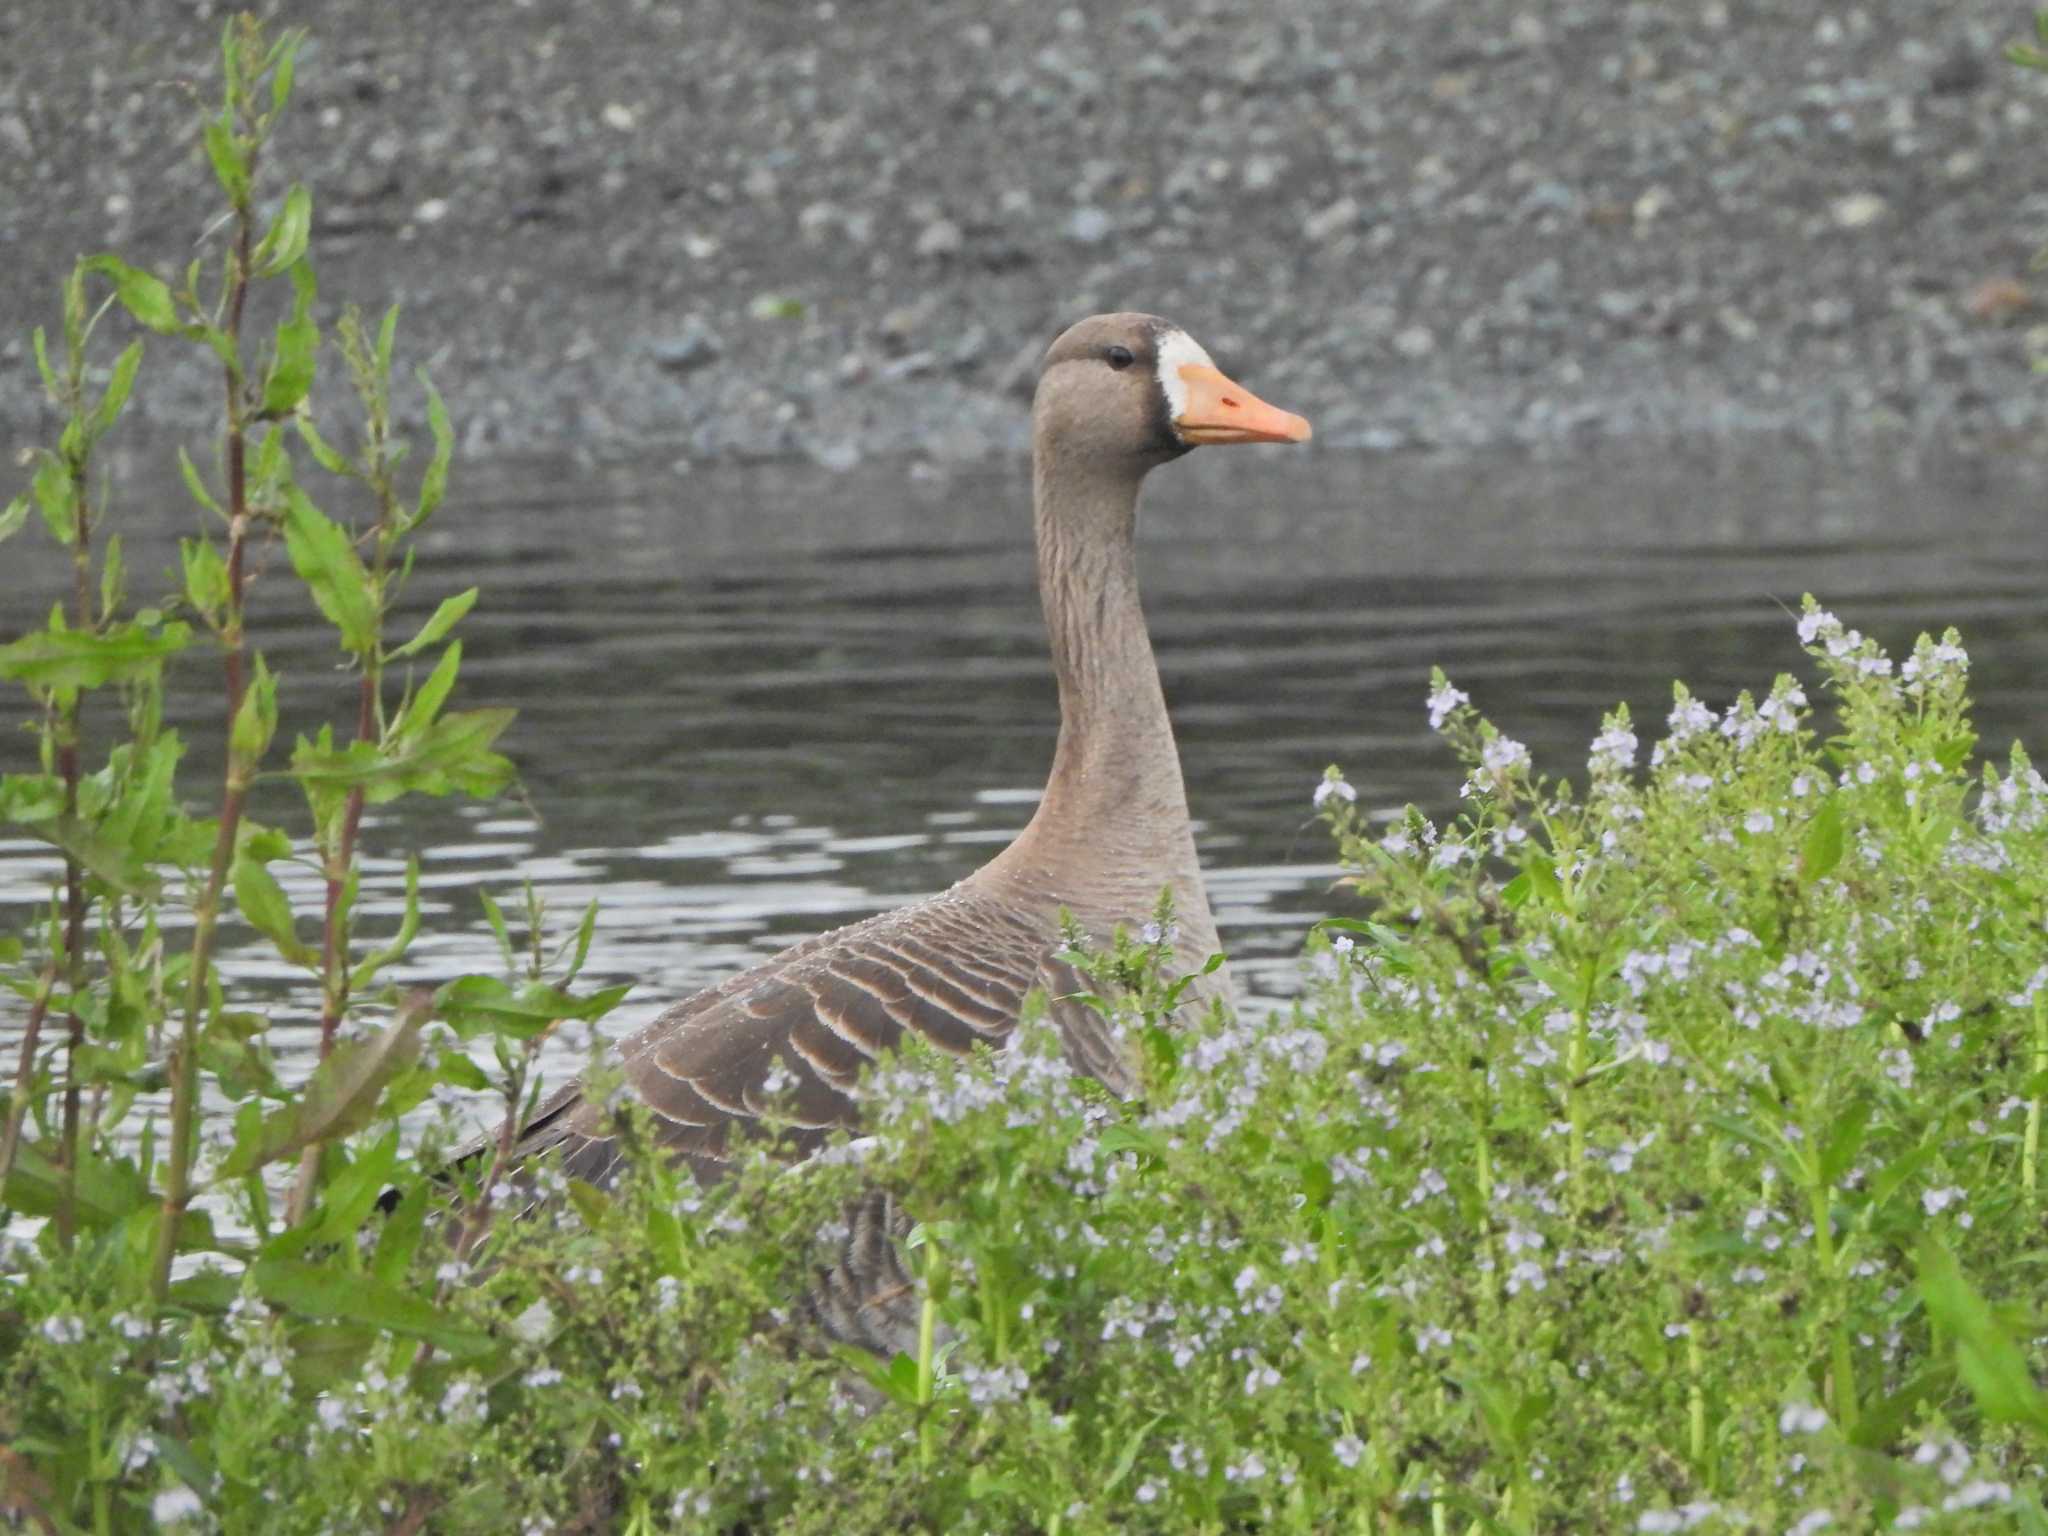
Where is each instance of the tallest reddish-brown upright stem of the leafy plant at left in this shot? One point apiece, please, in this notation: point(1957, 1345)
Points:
point(208, 910)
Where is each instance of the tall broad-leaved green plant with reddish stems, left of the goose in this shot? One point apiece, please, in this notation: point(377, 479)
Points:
point(122, 982)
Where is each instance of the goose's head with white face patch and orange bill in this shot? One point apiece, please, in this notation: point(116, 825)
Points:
point(1138, 390)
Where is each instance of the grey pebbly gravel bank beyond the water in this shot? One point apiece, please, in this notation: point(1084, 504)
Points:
point(845, 230)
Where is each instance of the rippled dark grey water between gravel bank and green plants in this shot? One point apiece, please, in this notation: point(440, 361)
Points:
point(765, 701)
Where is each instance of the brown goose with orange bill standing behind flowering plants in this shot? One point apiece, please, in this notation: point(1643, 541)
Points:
point(1117, 398)
